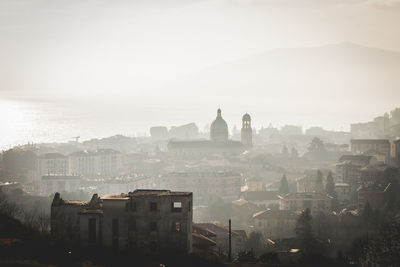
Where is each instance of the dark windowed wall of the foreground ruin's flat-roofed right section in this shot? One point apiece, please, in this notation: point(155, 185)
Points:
point(171, 232)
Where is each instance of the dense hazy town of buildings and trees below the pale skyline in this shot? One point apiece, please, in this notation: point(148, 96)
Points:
point(283, 197)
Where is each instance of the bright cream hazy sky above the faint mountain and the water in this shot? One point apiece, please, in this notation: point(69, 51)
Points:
point(124, 51)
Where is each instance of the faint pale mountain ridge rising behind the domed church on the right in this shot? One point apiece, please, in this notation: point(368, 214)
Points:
point(344, 67)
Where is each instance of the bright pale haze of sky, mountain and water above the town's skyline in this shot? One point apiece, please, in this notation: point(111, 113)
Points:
point(151, 63)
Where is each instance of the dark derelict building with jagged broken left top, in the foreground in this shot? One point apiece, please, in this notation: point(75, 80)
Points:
point(153, 221)
